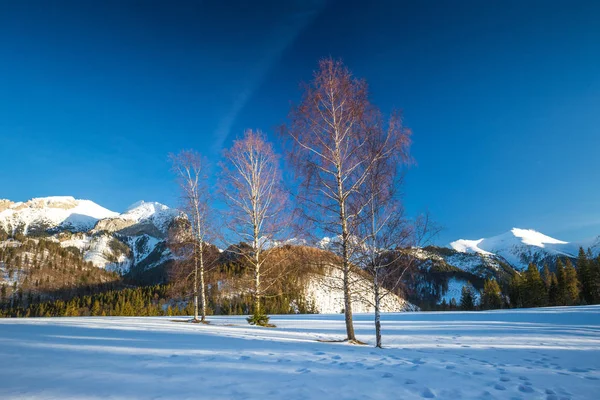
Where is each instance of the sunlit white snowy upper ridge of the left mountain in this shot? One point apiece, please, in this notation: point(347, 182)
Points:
point(57, 212)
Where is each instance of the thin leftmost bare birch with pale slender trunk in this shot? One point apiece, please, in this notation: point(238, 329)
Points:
point(190, 168)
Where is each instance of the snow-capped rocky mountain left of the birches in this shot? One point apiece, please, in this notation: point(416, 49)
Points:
point(133, 241)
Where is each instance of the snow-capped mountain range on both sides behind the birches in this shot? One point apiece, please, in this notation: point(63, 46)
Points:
point(134, 243)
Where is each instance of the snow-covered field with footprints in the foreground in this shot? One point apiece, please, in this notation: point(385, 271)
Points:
point(551, 353)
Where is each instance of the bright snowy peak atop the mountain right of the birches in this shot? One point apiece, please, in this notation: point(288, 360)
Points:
point(523, 246)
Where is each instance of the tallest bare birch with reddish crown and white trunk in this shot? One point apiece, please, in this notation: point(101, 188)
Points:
point(330, 129)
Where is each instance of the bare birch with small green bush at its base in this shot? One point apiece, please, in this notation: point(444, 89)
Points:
point(251, 185)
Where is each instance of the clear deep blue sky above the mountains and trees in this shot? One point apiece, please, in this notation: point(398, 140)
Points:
point(503, 97)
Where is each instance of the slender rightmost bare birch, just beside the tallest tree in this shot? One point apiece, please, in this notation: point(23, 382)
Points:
point(382, 227)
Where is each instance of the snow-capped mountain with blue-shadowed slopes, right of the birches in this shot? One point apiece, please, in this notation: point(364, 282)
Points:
point(443, 271)
